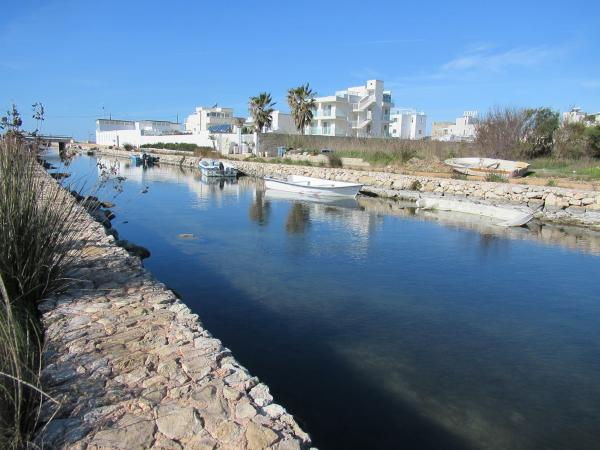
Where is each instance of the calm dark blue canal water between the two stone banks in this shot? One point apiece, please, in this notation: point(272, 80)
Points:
point(375, 326)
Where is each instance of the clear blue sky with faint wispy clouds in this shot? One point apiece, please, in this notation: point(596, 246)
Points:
point(159, 60)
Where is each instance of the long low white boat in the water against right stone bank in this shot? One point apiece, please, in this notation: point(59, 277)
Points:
point(505, 215)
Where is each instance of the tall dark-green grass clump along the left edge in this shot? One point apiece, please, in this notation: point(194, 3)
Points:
point(38, 222)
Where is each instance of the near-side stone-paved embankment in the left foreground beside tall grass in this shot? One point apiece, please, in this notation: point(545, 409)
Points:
point(133, 367)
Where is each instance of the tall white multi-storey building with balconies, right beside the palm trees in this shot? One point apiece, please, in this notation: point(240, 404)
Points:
point(362, 111)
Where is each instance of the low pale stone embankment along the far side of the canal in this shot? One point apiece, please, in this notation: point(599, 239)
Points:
point(552, 204)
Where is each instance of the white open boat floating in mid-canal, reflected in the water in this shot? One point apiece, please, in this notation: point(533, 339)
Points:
point(313, 186)
